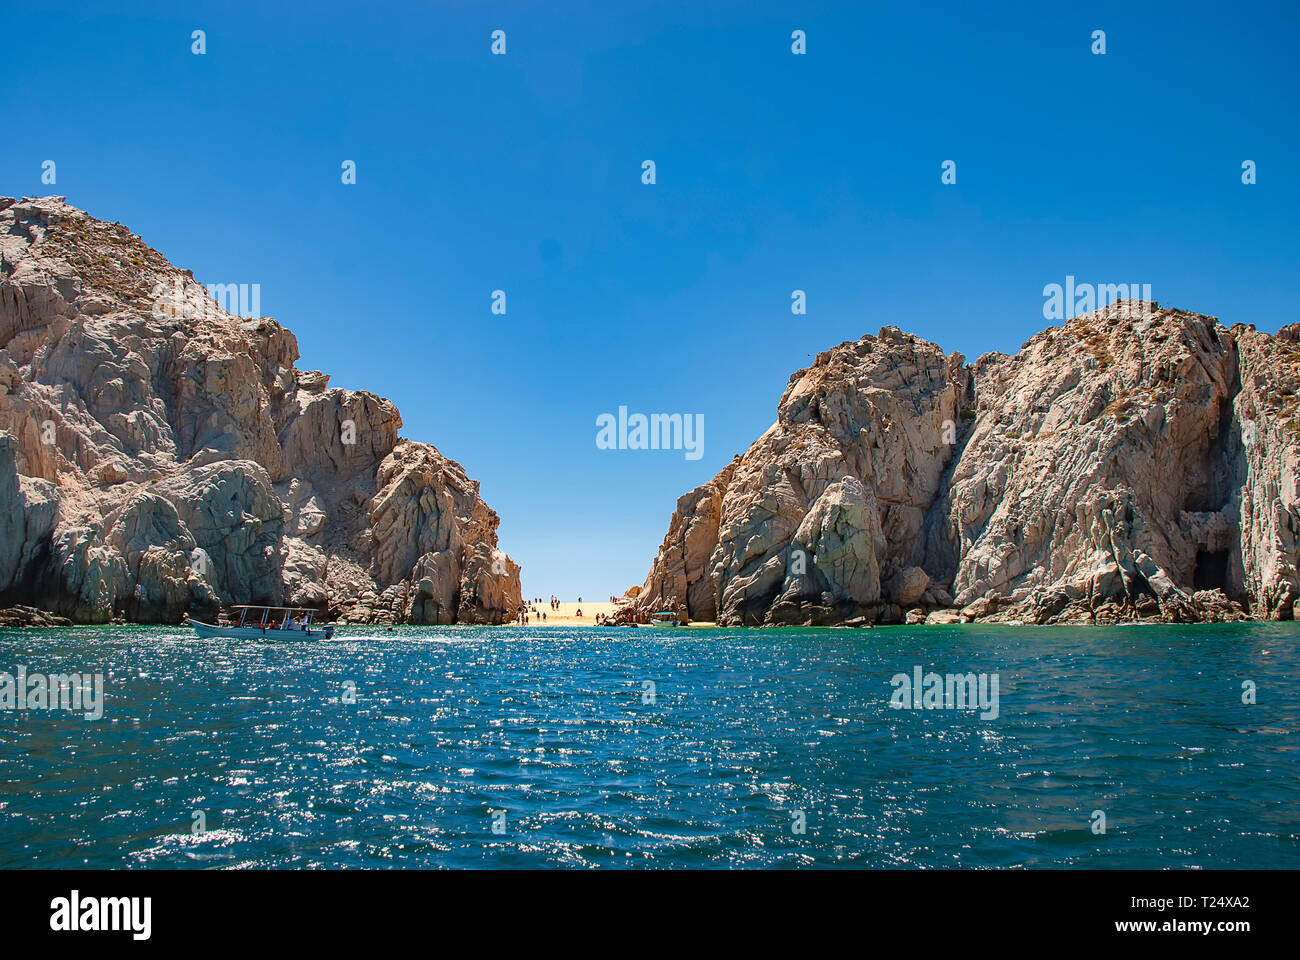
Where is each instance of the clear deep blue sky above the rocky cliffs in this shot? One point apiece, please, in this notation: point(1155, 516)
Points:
point(774, 172)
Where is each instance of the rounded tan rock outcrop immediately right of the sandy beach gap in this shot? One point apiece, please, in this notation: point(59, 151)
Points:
point(827, 505)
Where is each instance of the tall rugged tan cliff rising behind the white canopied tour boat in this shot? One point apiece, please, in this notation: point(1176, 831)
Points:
point(161, 456)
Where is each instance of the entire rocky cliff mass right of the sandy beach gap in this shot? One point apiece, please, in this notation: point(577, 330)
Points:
point(1134, 464)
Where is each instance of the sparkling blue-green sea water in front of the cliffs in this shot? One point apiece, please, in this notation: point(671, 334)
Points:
point(658, 749)
